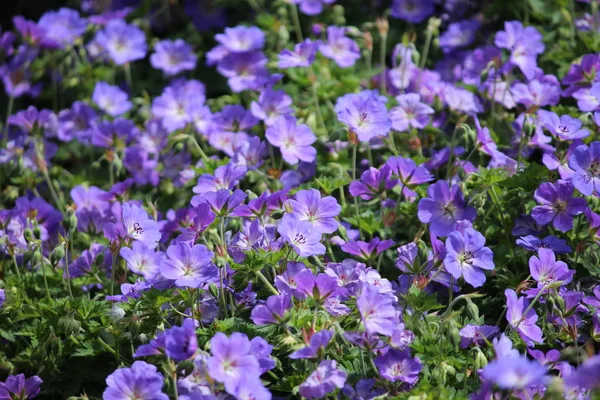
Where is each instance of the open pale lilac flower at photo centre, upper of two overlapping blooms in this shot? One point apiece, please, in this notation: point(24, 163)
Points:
point(320, 212)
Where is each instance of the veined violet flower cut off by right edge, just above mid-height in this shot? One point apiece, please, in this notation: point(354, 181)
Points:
point(585, 161)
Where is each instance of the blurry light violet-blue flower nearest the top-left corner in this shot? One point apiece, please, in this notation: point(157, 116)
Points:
point(63, 26)
